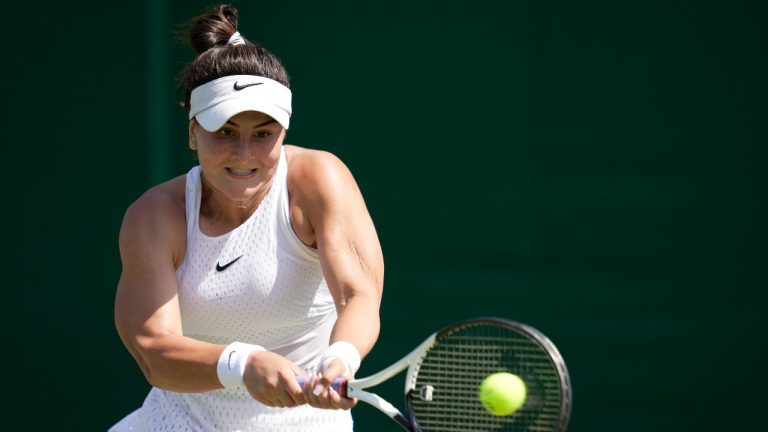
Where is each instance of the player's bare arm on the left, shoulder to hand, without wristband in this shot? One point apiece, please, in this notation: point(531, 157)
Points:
point(148, 318)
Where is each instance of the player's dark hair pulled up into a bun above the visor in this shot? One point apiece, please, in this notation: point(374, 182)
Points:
point(208, 35)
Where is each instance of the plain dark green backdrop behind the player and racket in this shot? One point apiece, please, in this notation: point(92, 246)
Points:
point(594, 169)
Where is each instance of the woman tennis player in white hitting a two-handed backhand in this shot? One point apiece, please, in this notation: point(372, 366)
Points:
point(258, 265)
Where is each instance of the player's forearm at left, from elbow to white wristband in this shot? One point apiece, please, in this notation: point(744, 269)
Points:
point(178, 363)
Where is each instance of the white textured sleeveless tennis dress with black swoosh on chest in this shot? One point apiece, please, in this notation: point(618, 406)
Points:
point(257, 284)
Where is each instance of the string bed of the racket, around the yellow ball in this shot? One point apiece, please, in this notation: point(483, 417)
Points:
point(456, 365)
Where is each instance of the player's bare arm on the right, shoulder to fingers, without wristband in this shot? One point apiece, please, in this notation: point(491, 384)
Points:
point(337, 222)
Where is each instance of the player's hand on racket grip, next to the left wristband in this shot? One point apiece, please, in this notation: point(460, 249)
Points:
point(271, 379)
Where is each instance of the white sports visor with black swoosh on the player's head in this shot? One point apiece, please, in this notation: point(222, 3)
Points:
point(215, 102)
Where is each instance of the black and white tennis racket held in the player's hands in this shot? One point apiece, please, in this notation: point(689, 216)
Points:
point(444, 374)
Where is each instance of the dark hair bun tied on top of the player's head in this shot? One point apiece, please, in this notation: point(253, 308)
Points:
point(213, 28)
